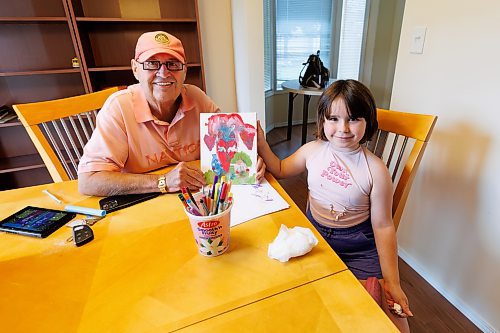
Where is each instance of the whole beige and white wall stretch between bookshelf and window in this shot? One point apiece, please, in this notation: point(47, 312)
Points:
point(233, 50)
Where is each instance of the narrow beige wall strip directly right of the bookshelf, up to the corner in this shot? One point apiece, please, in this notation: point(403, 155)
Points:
point(218, 52)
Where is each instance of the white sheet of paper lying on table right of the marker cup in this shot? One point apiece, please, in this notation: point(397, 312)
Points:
point(251, 201)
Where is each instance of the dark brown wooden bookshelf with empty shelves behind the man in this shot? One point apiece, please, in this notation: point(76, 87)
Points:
point(40, 39)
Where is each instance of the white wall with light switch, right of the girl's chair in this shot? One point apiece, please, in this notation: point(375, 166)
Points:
point(450, 231)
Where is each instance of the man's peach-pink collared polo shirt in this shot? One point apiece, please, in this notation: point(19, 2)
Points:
point(129, 138)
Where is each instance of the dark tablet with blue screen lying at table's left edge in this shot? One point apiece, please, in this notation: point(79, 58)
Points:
point(35, 221)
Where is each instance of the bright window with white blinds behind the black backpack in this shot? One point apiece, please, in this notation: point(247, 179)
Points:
point(294, 29)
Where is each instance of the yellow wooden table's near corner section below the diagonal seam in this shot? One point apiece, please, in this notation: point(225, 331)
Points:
point(336, 303)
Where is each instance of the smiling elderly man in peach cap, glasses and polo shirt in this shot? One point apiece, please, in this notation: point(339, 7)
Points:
point(148, 126)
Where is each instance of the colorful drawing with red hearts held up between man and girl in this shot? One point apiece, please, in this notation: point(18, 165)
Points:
point(229, 146)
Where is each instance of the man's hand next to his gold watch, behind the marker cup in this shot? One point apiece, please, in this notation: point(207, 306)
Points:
point(184, 175)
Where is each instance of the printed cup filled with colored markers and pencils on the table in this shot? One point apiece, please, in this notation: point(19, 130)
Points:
point(209, 213)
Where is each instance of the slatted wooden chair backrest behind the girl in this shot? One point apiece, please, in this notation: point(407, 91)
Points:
point(400, 142)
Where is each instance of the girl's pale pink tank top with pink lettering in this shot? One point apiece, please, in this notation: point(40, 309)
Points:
point(339, 185)
